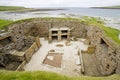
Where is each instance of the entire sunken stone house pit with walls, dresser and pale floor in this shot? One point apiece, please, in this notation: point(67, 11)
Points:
point(20, 44)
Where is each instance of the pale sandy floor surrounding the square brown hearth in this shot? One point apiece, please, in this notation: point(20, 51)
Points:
point(69, 58)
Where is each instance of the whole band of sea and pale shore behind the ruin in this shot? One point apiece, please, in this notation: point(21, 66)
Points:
point(111, 16)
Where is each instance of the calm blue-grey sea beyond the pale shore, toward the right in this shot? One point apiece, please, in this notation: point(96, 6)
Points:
point(90, 12)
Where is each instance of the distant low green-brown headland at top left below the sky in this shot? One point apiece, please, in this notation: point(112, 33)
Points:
point(11, 8)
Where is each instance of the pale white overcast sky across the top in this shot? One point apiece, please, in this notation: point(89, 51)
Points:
point(59, 3)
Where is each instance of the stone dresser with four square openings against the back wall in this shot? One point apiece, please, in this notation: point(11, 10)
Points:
point(59, 34)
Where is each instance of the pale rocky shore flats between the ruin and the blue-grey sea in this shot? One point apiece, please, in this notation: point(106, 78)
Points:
point(113, 22)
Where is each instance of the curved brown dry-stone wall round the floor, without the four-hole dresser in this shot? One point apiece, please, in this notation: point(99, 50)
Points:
point(23, 35)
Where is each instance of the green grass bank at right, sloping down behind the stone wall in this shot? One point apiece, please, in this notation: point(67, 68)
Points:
point(110, 32)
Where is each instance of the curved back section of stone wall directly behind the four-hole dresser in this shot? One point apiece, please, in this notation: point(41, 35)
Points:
point(40, 27)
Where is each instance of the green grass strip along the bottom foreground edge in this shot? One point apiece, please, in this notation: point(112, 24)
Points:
point(42, 75)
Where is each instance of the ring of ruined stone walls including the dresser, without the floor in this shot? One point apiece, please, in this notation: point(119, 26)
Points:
point(20, 36)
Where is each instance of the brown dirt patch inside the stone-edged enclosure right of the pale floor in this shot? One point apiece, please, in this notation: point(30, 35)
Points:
point(90, 64)
